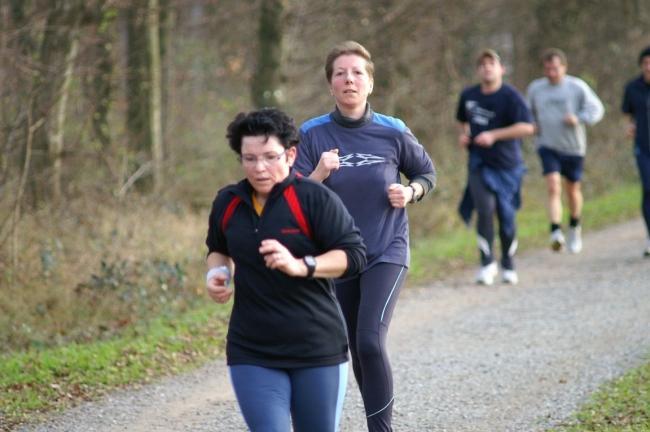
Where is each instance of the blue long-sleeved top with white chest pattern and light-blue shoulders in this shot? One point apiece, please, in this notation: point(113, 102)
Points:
point(372, 151)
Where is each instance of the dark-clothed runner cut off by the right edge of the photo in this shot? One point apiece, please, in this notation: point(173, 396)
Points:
point(636, 103)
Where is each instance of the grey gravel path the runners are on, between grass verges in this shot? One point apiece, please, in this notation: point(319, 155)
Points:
point(465, 358)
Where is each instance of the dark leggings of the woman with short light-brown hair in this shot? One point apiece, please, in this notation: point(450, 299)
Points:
point(367, 302)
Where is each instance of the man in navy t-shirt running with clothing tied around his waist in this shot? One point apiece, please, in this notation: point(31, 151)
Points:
point(493, 117)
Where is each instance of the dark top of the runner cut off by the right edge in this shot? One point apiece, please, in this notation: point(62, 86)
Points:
point(636, 102)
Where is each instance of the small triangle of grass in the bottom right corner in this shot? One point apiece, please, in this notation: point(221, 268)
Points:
point(620, 406)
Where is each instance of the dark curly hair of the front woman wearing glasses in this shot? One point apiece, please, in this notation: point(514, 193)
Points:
point(265, 121)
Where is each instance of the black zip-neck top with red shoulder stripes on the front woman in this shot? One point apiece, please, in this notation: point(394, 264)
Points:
point(278, 320)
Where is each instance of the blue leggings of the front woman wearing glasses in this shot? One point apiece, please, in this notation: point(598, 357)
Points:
point(270, 398)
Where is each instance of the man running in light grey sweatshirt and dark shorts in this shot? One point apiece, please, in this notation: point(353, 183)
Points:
point(562, 105)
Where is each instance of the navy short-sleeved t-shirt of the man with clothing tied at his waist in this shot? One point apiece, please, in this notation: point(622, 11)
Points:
point(485, 112)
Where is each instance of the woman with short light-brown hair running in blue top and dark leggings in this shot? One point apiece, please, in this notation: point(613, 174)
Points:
point(359, 154)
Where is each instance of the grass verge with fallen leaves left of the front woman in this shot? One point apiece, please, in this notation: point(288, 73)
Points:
point(39, 381)
